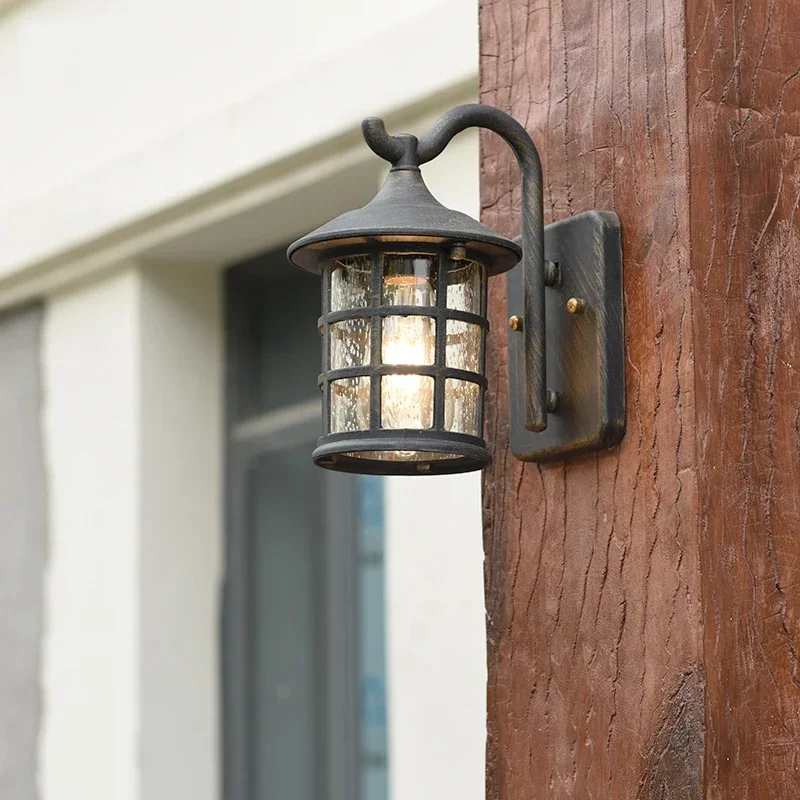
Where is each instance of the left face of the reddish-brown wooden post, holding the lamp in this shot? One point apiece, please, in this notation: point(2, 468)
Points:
point(592, 572)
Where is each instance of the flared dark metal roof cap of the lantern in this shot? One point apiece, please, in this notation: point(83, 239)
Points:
point(404, 211)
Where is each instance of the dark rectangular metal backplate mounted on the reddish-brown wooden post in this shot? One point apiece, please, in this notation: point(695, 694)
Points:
point(585, 351)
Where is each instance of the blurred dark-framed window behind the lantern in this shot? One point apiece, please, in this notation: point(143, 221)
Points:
point(304, 676)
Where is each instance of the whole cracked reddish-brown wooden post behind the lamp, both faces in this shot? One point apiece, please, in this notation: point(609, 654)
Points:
point(643, 606)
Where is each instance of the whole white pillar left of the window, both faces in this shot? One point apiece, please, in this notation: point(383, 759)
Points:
point(133, 446)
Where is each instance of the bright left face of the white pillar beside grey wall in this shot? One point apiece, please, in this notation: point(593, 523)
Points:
point(90, 689)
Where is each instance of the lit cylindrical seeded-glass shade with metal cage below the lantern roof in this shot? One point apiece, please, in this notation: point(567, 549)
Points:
point(403, 349)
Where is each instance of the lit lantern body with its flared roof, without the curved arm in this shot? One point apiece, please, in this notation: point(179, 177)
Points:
point(403, 331)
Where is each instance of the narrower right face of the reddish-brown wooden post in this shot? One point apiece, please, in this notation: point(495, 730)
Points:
point(744, 129)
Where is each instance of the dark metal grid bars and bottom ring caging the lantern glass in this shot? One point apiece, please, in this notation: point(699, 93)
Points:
point(333, 449)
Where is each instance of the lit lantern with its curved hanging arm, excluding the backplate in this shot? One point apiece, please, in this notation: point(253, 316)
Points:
point(404, 316)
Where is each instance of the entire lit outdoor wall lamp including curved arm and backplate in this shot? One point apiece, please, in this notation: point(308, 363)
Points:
point(403, 324)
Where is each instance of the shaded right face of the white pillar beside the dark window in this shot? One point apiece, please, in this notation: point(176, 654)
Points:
point(181, 533)
